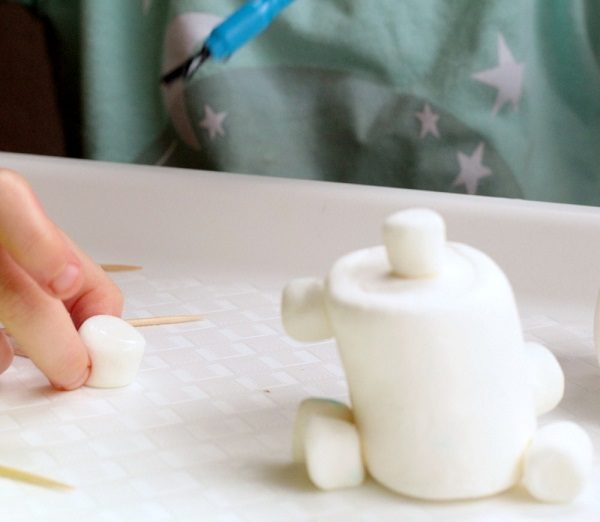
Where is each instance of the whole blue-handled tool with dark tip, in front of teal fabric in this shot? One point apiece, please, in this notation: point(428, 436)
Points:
point(244, 24)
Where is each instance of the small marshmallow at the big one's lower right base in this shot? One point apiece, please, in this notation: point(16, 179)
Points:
point(558, 462)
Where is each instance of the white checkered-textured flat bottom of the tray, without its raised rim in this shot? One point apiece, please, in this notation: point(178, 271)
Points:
point(205, 431)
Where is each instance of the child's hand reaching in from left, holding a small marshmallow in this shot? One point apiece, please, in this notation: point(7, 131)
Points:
point(48, 287)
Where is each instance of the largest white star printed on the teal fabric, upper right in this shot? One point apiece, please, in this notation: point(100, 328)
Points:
point(507, 77)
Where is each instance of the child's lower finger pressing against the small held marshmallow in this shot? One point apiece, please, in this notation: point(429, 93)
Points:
point(41, 326)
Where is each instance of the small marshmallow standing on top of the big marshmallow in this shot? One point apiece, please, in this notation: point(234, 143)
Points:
point(415, 241)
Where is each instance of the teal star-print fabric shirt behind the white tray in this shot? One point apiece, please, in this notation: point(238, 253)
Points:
point(498, 97)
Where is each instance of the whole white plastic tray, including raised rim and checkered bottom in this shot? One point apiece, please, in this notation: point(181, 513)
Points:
point(204, 433)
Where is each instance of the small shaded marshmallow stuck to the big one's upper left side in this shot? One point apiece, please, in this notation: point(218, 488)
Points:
point(303, 310)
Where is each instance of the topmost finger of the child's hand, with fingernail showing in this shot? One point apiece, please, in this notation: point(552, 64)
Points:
point(33, 241)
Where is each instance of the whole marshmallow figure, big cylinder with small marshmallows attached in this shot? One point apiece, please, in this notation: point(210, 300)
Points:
point(445, 392)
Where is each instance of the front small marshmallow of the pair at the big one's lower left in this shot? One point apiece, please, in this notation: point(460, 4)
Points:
point(333, 454)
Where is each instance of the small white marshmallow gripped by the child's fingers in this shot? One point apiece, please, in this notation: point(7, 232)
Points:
point(116, 349)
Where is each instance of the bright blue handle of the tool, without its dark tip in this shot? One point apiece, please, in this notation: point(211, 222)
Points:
point(243, 25)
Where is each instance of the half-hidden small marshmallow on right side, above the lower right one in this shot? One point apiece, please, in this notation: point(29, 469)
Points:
point(547, 377)
